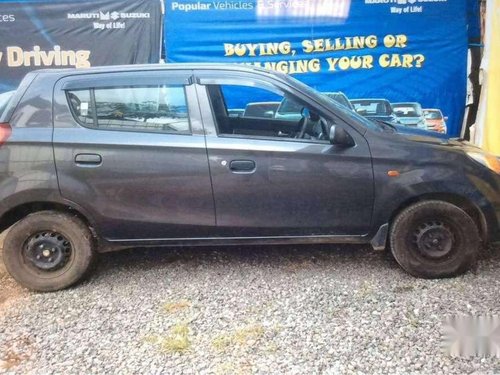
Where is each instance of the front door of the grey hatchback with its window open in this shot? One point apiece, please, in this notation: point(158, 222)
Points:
point(268, 180)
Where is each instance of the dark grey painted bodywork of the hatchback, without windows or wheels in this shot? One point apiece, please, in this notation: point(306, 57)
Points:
point(170, 189)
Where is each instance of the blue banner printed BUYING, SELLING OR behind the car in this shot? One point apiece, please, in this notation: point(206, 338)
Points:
point(399, 50)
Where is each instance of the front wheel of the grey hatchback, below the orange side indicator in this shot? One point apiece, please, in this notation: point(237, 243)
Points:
point(434, 239)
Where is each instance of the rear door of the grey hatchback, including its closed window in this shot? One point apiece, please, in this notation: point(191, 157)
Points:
point(129, 148)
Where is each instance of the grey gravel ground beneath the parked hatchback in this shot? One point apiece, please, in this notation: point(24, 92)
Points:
point(266, 310)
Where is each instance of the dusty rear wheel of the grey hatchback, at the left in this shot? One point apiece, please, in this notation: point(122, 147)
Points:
point(62, 234)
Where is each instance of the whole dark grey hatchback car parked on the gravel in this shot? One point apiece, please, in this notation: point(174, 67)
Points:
point(105, 158)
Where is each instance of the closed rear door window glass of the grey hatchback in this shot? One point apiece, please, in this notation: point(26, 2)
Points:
point(158, 108)
